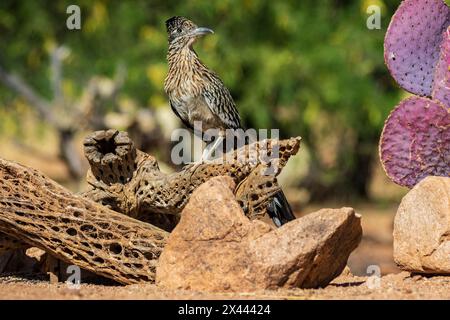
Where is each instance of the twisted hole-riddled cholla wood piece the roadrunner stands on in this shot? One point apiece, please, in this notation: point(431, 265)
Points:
point(129, 181)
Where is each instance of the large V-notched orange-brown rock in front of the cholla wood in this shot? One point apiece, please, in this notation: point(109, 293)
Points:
point(216, 248)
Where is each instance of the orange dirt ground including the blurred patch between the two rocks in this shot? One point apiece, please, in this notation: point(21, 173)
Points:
point(374, 253)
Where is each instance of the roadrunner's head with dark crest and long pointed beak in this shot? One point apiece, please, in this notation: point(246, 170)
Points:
point(182, 32)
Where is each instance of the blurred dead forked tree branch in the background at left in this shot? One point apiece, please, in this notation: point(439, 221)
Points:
point(59, 113)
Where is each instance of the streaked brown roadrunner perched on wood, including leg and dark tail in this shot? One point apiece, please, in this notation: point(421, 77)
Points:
point(197, 94)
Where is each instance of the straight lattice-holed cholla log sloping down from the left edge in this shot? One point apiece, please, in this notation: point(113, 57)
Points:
point(38, 211)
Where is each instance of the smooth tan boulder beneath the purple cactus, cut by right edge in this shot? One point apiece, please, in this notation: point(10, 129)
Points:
point(422, 228)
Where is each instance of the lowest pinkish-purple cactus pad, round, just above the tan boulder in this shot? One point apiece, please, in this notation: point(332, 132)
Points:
point(415, 142)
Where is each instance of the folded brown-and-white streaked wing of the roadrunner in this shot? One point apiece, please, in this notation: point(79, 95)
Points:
point(221, 104)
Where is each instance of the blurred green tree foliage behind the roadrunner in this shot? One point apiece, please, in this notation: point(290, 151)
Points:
point(310, 68)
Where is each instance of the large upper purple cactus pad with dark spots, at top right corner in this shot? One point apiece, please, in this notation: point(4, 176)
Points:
point(412, 43)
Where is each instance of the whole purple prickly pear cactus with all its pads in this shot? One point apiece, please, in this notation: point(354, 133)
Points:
point(415, 142)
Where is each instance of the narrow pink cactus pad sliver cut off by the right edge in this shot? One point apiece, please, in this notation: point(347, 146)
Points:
point(441, 83)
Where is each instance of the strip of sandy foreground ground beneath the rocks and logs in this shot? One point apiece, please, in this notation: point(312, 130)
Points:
point(393, 286)
